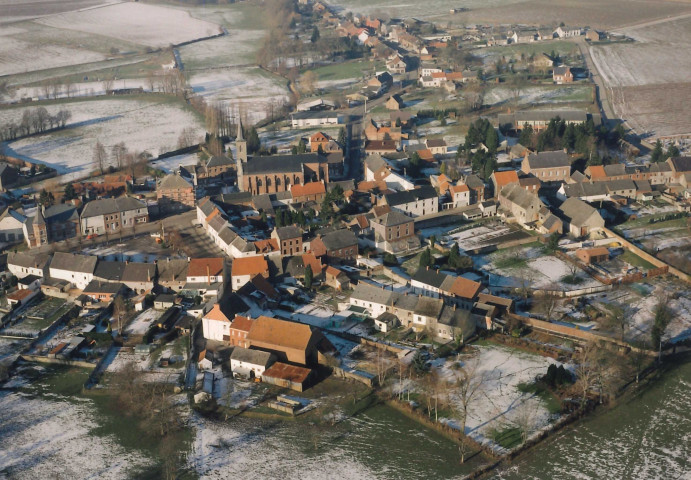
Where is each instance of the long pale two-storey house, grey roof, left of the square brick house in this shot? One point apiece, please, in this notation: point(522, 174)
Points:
point(113, 215)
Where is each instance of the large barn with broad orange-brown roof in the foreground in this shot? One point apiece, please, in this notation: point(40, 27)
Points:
point(289, 341)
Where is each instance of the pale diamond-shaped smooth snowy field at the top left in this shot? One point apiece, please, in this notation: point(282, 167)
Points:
point(150, 25)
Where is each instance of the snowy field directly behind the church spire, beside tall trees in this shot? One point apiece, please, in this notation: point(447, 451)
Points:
point(249, 88)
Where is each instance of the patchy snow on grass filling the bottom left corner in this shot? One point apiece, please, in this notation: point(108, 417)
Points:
point(40, 436)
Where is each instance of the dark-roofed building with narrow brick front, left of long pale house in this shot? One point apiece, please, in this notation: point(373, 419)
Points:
point(52, 224)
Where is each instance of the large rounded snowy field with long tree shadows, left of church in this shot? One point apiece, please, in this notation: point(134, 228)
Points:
point(143, 125)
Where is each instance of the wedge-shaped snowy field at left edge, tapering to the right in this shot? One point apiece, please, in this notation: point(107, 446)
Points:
point(19, 56)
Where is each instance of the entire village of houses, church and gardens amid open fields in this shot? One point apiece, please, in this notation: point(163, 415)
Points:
point(492, 284)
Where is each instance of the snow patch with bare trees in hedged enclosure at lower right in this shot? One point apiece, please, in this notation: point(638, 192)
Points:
point(499, 401)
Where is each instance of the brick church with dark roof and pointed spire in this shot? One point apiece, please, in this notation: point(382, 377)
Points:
point(277, 173)
